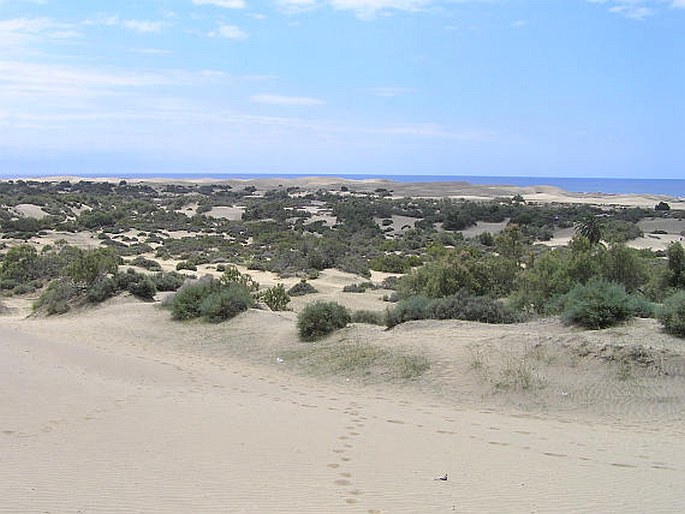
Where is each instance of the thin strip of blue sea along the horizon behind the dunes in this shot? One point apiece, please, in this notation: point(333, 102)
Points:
point(669, 187)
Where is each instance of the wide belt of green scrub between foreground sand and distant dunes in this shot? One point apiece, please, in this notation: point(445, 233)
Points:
point(491, 277)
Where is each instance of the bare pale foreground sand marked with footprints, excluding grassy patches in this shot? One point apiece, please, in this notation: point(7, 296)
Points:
point(118, 409)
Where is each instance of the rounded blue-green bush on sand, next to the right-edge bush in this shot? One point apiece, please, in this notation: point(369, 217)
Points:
point(597, 304)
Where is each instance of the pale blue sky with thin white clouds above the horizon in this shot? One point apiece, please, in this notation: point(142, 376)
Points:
point(551, 88)
